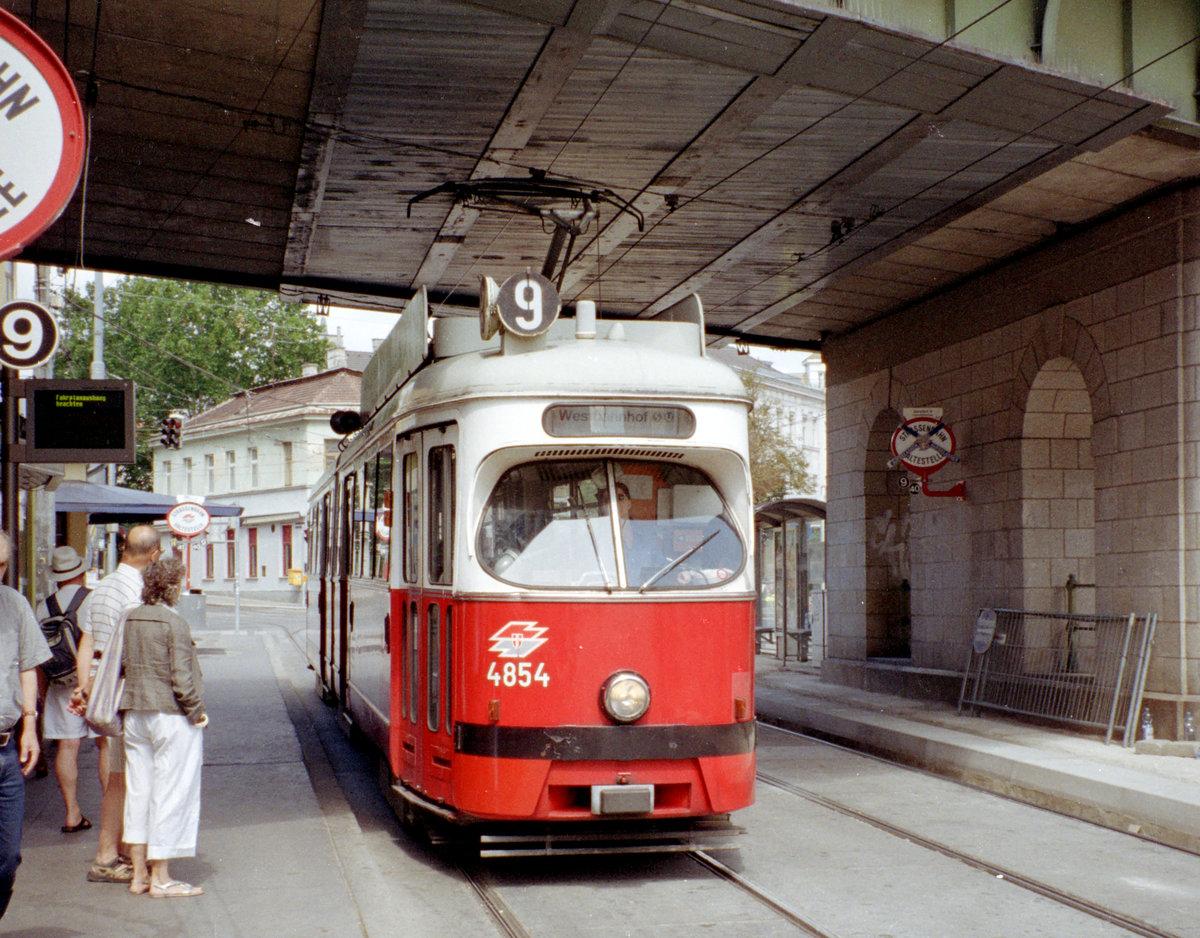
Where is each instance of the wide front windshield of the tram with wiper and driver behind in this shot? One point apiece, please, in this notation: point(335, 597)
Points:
point(609, 525)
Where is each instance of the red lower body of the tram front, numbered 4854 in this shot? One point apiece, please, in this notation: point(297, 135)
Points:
point(530, 737)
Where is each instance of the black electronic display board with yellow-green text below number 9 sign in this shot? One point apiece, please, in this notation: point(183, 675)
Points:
point(80, 422)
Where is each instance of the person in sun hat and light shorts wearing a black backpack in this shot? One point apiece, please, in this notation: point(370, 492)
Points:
point(58, 616)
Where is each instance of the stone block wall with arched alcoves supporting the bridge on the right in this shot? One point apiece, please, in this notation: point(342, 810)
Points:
point(1071, 380)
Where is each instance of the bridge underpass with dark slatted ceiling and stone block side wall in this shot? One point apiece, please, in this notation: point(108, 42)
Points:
point(982, 211)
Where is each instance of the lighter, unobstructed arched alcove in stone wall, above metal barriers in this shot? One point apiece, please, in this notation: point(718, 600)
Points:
point(1058, 492)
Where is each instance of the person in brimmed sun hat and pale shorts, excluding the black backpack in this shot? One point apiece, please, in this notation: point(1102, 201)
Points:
point(68, 570)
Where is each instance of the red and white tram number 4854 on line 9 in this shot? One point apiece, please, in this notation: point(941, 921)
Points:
point(531, 580)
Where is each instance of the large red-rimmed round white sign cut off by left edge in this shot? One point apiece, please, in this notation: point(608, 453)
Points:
point(43, 136)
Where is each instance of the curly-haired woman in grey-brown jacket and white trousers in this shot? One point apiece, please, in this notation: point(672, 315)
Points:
point(164, 744)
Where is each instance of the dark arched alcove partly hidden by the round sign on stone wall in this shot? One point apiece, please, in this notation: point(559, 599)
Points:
point(887, 590)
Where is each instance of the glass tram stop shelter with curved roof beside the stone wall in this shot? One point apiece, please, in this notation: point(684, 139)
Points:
point(790, 575)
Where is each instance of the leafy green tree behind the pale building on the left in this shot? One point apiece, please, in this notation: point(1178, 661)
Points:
point(187, 347)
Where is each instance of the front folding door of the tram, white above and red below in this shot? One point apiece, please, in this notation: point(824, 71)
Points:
point(423, 688)
